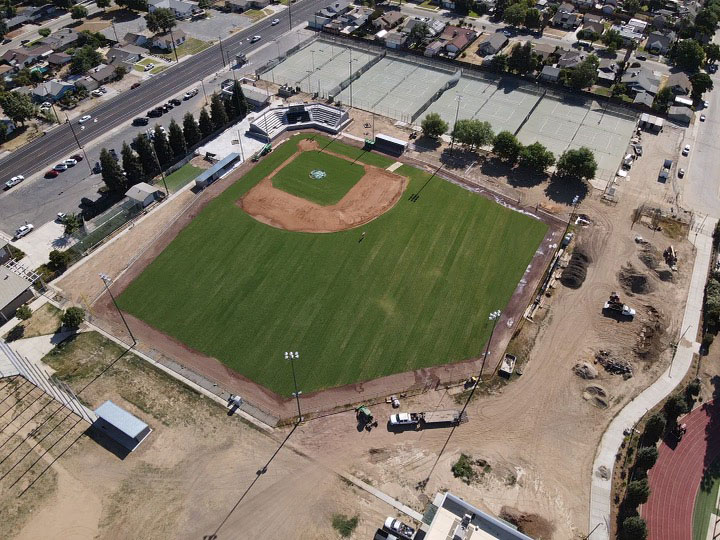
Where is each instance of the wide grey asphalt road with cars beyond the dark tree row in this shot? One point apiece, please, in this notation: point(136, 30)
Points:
point(60, 142)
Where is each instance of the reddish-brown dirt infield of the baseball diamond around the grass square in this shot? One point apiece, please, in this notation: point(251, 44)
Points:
point(376, 193)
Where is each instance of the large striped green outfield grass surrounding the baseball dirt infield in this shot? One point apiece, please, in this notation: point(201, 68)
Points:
point(415, 293)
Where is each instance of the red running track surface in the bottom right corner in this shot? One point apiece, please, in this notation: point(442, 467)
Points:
point(675, 478)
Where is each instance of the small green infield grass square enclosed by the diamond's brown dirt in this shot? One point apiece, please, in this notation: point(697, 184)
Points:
point(295, 178)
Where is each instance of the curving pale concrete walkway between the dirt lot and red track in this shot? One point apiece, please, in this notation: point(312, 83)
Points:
point(601, 488)
